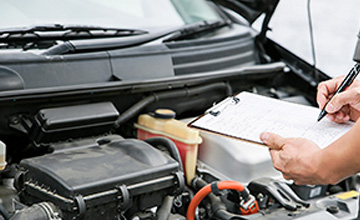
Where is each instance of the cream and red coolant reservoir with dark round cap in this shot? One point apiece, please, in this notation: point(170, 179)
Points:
point(163, 124)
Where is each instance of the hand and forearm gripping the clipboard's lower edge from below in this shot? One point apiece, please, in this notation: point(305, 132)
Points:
point(304, 162)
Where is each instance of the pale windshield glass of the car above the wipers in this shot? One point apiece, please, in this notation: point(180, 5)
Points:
point(141, 14)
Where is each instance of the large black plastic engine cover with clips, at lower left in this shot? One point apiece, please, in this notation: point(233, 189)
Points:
point(100, 181)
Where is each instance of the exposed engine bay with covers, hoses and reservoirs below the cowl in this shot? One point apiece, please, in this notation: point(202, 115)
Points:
point(97, 160)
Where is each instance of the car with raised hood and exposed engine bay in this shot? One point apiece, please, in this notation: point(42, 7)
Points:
point(95, 97)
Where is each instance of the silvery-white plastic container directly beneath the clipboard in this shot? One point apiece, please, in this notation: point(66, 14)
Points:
point(233, 159)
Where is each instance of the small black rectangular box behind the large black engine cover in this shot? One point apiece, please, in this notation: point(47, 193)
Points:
point(62, 123)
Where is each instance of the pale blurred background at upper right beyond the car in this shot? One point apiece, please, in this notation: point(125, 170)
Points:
point(336, 25)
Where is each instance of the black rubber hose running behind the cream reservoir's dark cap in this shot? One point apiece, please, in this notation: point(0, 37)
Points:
point(136, 108)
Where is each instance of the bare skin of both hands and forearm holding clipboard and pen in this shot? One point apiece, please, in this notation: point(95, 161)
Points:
point(303, 161)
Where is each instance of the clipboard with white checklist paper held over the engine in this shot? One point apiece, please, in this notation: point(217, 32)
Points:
point(246, 115)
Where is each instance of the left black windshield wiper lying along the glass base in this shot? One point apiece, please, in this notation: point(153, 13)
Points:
point(63, 32)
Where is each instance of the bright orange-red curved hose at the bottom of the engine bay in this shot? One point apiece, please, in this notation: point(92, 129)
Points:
point(203, 192)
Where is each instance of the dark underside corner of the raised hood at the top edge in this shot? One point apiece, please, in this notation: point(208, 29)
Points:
point(249, 9)
